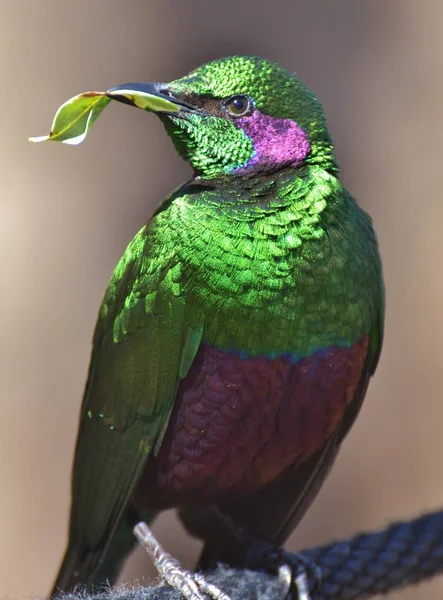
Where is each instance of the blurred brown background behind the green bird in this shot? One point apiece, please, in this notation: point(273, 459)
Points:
point(68, 212)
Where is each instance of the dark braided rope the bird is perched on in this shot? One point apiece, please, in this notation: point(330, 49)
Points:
point(358, 567)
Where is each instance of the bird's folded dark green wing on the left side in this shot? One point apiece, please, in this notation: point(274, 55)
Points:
point(142, 348)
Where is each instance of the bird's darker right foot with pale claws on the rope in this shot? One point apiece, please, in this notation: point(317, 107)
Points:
point(293, 569)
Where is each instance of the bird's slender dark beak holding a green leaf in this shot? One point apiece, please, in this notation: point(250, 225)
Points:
point(153, 97)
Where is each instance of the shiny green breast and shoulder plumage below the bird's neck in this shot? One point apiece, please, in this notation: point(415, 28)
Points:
point(282, 252)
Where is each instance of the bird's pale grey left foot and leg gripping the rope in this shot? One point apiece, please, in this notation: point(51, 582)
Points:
point(193, 586)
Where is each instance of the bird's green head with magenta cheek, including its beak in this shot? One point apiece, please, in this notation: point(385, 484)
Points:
point(239, 115)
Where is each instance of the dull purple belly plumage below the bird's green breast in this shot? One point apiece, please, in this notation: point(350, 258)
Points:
point(238, 423)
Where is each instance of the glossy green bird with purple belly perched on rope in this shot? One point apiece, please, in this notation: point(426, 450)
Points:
point(239, 331)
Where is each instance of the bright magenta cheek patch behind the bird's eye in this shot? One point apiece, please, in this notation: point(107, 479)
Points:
point(276, 142)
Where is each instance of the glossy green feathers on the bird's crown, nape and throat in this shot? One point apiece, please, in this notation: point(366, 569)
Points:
point(219, 147)
